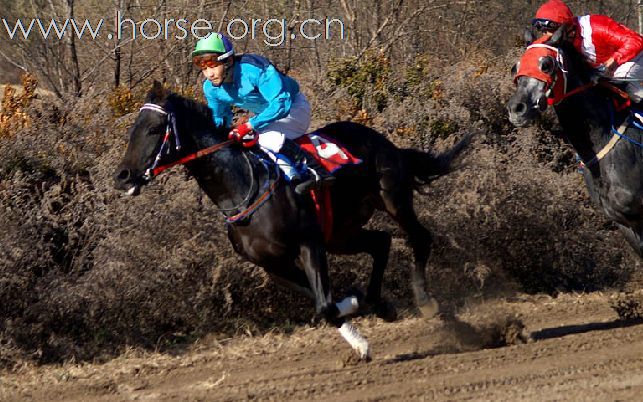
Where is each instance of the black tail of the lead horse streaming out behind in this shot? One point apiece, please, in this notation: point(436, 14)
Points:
point(426, 166)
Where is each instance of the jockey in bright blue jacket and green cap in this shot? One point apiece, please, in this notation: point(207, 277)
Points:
point(281, 111)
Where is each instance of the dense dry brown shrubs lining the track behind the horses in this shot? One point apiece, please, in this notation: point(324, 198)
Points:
point(86, 272)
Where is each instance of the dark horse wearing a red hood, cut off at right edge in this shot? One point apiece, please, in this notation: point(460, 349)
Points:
point(602, 134)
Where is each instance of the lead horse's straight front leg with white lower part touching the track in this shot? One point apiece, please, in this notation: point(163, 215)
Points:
point(313, 259)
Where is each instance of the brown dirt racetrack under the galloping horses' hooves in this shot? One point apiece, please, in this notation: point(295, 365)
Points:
point(579, 351)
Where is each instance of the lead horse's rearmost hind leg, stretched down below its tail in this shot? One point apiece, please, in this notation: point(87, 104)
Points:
point(399, 204)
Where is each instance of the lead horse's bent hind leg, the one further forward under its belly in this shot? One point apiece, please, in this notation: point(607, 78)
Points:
point(378, 244)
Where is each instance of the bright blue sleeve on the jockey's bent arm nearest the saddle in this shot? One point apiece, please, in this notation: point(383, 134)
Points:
point(271, 87)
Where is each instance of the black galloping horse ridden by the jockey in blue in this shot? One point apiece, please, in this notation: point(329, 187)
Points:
point(278, 229)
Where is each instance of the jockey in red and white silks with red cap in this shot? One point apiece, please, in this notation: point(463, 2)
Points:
point(603, 41)
